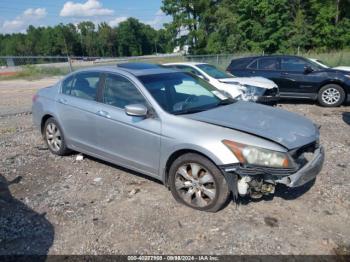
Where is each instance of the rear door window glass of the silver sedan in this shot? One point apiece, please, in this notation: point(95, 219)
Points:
point(85, 85)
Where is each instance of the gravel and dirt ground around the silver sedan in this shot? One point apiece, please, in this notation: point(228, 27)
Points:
point(59, 205)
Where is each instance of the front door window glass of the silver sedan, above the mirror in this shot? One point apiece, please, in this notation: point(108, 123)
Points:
point(120, 92)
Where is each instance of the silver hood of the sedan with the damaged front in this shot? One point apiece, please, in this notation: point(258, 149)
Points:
point(285, 128)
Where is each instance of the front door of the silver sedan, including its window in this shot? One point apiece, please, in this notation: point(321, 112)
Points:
point(129, 141)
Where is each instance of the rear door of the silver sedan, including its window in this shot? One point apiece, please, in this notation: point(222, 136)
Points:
point(76, 109)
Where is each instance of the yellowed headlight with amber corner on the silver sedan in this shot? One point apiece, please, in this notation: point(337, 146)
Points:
point(259, 156)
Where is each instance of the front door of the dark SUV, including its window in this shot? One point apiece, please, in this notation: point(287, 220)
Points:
point(295, 80)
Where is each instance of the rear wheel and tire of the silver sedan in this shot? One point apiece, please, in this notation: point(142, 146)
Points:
point(54, 138)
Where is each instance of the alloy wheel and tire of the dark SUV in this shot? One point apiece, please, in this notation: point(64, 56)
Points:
point(331, 95)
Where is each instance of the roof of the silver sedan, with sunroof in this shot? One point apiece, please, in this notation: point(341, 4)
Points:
point(136, 72)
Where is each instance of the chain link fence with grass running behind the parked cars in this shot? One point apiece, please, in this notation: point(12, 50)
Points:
point(41, 66)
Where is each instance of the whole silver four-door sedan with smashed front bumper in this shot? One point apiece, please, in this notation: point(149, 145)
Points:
point(173, 126)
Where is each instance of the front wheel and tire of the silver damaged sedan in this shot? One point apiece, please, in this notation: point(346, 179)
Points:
point(198, 183)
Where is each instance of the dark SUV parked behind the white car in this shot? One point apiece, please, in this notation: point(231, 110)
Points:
point(297, 77)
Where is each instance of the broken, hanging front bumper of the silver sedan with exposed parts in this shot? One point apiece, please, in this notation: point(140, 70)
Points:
point(261, 180)
